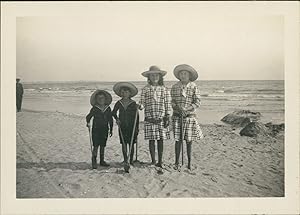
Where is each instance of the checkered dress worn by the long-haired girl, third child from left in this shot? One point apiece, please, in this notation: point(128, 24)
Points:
point(156, 102)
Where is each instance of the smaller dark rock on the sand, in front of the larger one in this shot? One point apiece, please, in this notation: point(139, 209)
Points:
point(253, 129)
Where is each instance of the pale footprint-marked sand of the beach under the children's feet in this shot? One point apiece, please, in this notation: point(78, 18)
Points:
point(54, 161)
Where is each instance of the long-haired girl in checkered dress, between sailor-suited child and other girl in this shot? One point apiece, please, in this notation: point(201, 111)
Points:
point(156, 102)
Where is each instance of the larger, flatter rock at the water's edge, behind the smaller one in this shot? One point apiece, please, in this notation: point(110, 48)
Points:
point(241, 118)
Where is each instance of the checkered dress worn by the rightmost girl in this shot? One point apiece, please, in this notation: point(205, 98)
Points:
point(185, 97)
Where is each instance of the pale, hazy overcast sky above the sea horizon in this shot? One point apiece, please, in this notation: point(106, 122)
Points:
point(122, 42)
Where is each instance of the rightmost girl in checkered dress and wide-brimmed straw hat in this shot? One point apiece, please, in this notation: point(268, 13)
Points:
point(185, 99)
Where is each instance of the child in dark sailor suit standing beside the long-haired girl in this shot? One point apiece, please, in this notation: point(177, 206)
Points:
point(126, 108)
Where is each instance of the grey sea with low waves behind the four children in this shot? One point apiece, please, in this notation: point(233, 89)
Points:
point(218, 97)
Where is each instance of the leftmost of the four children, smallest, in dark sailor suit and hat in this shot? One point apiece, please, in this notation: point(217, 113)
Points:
point(102, 124)
